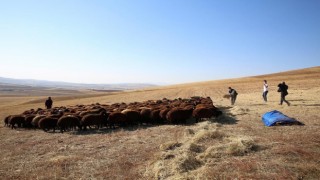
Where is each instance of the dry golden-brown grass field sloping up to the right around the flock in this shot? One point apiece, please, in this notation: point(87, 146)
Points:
point(236, 145)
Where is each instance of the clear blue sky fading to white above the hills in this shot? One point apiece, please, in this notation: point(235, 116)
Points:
point(156, 41)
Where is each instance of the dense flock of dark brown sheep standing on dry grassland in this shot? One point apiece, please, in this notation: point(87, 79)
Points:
point(97, 115)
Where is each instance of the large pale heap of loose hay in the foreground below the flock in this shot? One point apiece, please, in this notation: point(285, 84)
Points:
point(200, 146)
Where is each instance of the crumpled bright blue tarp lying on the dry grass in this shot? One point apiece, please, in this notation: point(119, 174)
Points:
point(276, 117)
